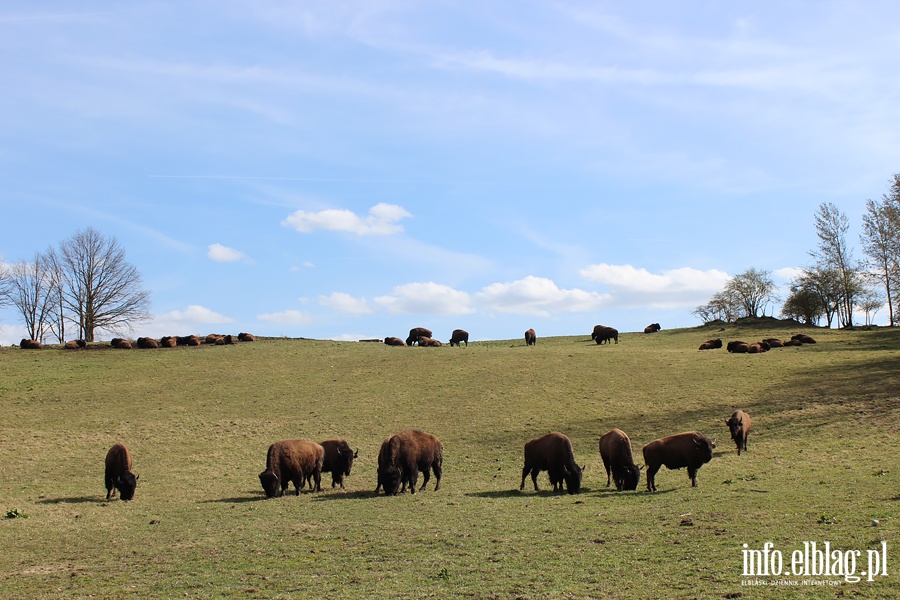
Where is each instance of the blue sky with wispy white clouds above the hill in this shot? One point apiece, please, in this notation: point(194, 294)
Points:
point(350, 170)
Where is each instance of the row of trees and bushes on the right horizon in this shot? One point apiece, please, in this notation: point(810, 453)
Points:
point(834, 285)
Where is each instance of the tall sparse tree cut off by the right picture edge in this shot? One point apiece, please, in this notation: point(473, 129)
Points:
point(880, 241)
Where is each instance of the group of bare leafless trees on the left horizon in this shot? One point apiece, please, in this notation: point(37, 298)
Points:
point(84, 283)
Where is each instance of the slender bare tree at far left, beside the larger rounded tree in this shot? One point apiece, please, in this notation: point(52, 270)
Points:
point(33, 290)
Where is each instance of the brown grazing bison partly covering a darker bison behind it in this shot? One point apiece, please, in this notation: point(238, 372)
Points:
point(291, 461)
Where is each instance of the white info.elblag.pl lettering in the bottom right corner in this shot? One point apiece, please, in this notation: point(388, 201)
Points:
point(820, 562)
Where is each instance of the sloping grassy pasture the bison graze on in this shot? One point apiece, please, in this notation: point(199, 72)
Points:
point(823, 463)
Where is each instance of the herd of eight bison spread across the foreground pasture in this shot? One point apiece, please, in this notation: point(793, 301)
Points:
point(404, 455)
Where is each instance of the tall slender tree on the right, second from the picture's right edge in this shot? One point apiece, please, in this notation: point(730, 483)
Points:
point(834, 255)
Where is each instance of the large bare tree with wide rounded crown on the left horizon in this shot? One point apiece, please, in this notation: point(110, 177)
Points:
point(101, 290)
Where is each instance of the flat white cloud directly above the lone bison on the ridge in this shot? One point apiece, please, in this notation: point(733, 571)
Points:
point(538, 296)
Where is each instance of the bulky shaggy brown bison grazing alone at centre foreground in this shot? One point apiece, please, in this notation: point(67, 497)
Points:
point(401, 458)
